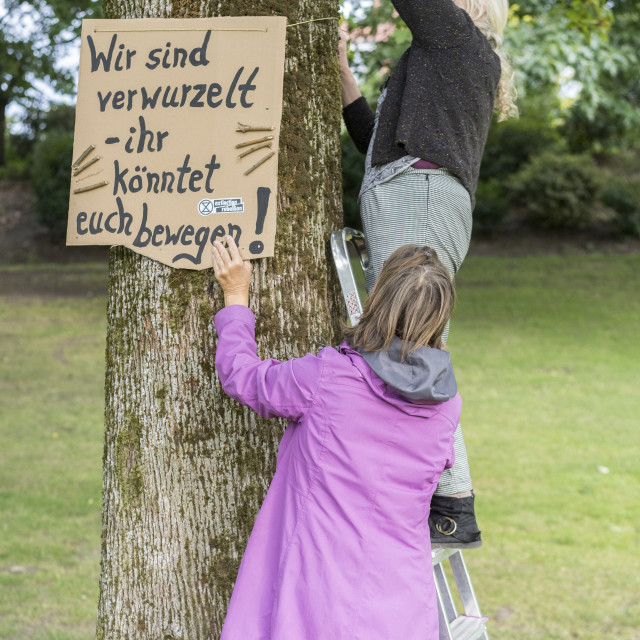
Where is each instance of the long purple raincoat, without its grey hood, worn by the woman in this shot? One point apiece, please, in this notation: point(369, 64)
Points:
point(340, 549)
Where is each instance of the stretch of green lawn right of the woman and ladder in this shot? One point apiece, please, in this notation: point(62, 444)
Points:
point(547, 353)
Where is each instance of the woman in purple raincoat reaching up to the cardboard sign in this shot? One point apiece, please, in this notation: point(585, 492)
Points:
point(340, 549)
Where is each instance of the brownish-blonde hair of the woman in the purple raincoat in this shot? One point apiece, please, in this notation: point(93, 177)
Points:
point(412, 299)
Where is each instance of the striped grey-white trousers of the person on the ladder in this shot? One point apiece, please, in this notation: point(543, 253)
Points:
point(424, 207)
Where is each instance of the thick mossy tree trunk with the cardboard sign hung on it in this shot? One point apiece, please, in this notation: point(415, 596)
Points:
point(185, 467)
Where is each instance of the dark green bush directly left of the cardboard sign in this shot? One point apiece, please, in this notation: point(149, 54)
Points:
point(51, 177)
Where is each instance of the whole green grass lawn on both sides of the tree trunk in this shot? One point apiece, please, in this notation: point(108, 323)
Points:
point(547, 357)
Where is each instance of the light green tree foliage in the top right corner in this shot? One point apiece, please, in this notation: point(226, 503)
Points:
point(589, 49)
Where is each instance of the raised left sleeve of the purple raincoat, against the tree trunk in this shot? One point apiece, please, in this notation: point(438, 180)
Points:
point(270, 387)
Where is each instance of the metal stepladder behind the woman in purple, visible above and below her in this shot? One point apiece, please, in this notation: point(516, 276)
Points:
point(351, 260)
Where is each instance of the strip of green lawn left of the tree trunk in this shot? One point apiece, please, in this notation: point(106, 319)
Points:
point(51, 405)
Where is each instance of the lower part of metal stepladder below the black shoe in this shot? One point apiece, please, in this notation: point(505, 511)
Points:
point(470, 625)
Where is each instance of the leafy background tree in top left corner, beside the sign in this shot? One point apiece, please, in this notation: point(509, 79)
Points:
point(33, 37)
